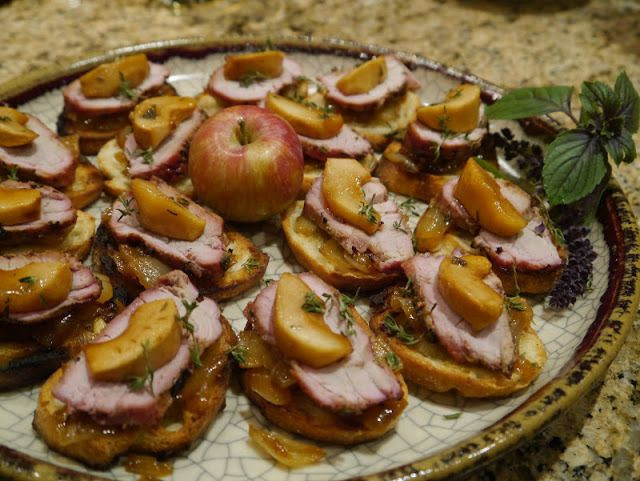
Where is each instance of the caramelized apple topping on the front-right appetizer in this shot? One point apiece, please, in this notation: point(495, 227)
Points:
point(460, 284)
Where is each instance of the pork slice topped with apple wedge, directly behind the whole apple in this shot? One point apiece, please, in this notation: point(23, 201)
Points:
point(247, 78)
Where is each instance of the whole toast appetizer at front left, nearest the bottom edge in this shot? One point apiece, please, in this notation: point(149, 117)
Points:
point(151, 382)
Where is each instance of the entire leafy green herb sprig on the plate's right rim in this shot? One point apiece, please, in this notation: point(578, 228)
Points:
point(576, 162)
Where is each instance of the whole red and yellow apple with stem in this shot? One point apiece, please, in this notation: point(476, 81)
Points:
point(250, 182)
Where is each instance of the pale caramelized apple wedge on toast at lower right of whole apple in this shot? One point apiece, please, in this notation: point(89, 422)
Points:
point(342, 183)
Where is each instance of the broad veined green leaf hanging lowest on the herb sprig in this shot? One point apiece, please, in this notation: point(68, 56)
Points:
point(574, 165)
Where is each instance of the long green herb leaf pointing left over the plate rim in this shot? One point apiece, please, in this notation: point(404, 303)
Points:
point(530, 102)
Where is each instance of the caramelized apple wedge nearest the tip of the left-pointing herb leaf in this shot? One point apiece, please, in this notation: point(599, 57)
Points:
point(459, 112)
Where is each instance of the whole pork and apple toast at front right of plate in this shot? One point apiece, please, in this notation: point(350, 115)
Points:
point(453, 328)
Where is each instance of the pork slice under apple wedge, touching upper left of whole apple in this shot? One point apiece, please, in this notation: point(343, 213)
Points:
point(167, 160)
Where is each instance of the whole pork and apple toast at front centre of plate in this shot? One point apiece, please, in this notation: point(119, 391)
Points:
point(313, 367)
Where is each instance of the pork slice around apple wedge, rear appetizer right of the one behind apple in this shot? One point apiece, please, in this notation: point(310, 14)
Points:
point(398, 78)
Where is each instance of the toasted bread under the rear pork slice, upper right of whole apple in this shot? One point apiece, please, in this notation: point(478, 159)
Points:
point(382, 126)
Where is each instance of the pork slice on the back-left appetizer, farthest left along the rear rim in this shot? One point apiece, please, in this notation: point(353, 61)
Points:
point(74, 98)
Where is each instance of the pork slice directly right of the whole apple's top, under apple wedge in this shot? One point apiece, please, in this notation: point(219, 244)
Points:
point(348, 143)
